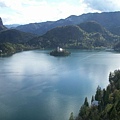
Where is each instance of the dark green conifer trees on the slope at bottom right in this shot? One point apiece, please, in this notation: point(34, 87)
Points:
point(109, 102)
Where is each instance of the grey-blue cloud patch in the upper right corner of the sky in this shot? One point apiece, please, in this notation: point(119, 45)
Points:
point(103, 5)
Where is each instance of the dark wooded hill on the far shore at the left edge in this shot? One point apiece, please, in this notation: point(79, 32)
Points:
point(12, 41)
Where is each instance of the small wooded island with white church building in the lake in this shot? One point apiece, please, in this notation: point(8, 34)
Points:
point(60, 52)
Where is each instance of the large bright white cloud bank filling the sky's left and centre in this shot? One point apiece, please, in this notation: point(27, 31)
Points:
point(26, 11)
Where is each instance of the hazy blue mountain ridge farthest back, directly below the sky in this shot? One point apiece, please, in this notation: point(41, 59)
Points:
point(110, 20)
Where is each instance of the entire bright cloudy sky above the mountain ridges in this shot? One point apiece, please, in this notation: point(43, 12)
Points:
point(34, 11)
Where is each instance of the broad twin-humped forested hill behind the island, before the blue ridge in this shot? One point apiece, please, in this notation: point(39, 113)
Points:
point(87, 35)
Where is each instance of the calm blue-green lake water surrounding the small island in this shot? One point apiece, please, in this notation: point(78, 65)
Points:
point(37, 86)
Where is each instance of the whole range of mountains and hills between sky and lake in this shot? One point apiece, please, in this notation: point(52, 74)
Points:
point(87, 31)
